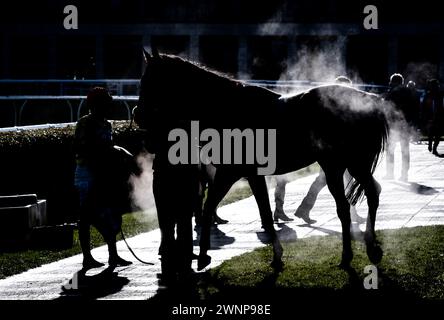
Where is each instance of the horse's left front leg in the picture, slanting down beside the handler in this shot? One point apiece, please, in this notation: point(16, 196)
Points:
point(223, 180)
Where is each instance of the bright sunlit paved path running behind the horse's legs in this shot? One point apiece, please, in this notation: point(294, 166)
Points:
point(419, 202)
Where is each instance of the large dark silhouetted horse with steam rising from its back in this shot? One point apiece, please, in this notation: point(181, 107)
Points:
point(337, 126)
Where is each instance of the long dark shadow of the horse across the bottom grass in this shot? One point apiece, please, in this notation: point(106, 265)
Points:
point(283, 302)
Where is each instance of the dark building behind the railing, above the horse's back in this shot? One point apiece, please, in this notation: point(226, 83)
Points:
point(249, 39)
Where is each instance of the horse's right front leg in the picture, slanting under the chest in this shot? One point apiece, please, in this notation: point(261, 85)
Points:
point(260, 192)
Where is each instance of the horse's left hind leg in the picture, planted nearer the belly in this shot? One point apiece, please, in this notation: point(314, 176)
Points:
point(335, 183)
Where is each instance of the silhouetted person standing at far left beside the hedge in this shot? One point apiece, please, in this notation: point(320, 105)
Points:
point(93, 146)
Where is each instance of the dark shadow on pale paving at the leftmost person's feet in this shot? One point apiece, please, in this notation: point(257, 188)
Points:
point(92, 287)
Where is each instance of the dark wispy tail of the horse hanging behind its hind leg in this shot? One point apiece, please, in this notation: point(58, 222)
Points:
point(376, 131)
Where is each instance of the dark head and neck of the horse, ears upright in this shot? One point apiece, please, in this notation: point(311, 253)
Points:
point(177, 88)
